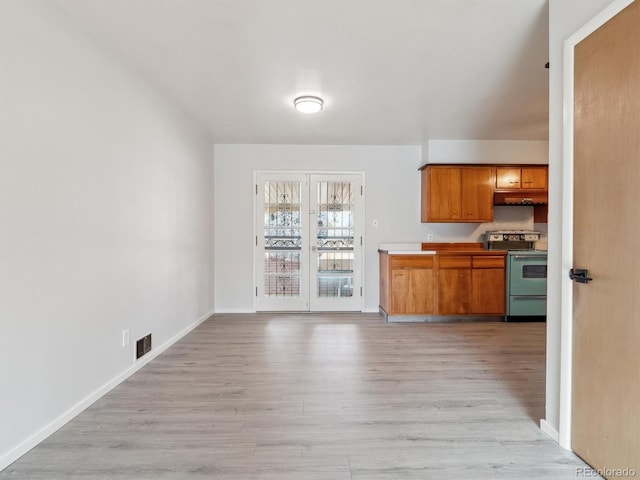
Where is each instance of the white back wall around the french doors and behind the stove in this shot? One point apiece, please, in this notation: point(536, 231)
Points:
point(392, 197)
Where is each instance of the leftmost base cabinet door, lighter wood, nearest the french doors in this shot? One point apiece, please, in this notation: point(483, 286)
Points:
point(412, 291)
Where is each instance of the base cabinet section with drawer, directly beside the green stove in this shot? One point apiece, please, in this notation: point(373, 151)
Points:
point(488, 285)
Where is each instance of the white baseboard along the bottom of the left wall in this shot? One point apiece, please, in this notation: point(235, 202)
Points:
point(15, 453)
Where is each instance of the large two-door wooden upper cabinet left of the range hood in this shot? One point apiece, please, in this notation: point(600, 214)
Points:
point(457, 193)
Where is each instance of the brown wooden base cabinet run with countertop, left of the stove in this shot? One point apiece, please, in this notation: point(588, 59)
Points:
point(441, 281)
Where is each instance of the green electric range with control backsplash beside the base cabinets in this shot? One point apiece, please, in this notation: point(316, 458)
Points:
point(526, 273)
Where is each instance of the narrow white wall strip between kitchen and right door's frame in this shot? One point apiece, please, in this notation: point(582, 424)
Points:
point(565, 18)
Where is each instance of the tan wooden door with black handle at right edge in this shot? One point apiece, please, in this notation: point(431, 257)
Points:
point(606, 323)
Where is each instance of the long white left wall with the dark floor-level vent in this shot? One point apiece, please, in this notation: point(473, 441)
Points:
point(105, 220)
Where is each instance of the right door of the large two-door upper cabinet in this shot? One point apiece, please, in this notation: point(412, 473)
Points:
point(477, 194)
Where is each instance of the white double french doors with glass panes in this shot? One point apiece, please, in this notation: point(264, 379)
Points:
point(308, 241)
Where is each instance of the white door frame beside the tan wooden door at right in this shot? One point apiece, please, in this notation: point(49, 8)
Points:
point(566, 333)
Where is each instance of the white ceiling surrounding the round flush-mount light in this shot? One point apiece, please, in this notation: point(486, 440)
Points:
point(390, 71)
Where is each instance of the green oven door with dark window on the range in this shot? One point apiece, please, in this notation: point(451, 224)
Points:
point(527, 274)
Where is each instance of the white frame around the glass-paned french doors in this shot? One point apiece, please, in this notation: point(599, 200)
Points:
point(362, 221)
